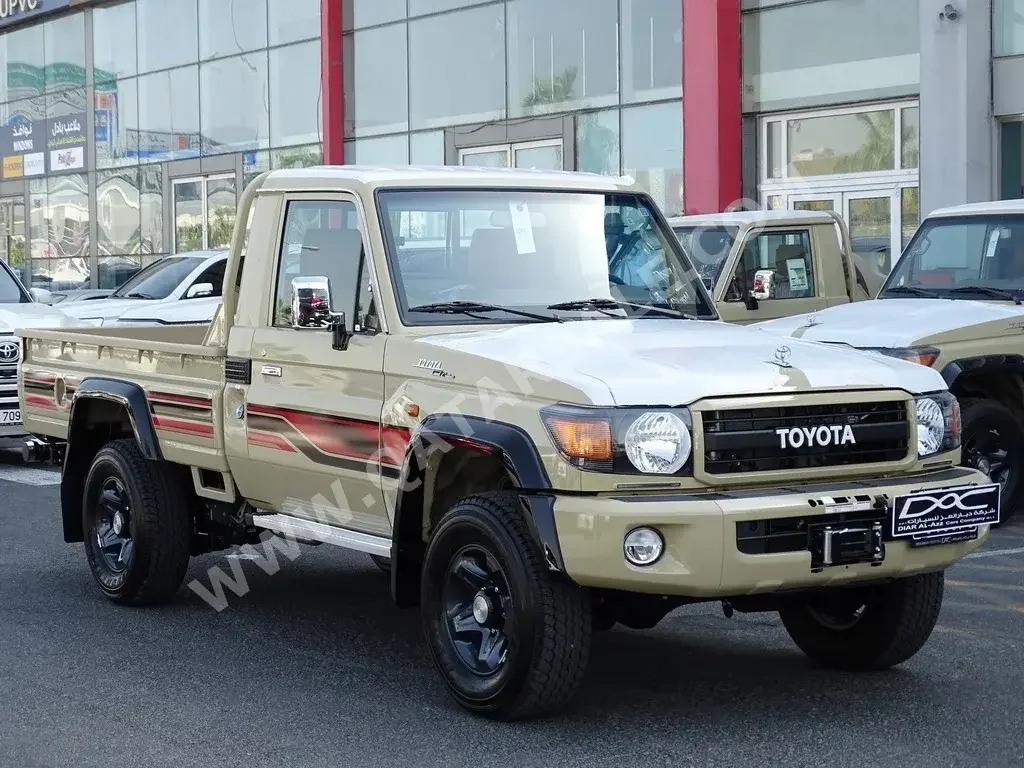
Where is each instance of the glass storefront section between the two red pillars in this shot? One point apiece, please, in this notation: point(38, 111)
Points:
point(590, 86)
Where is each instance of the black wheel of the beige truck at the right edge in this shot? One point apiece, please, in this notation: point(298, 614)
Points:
point(994, 444)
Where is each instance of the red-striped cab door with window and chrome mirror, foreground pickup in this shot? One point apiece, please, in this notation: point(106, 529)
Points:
point(313, 416)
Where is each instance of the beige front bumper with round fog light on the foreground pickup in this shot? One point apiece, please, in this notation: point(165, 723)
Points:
point(702, 557)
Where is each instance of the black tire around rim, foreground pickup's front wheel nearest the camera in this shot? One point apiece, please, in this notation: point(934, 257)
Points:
point(549, 643)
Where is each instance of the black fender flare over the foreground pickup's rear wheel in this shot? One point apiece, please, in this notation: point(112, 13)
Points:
point(78, 457)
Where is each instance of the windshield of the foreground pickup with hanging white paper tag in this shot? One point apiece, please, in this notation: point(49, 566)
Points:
point(529, 250)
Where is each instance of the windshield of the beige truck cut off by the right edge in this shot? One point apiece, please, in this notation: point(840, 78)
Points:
point(958, 254)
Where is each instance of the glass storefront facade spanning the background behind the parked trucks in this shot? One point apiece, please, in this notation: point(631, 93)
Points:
point(129, 129)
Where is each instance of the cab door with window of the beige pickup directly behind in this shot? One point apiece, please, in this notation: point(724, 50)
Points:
point(775, 277)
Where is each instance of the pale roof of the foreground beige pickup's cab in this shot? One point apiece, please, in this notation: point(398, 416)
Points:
point(371, 178)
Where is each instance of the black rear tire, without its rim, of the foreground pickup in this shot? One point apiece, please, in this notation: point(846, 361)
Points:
point(160, 526)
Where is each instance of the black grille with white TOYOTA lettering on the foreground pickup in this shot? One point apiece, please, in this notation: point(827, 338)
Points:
point(770, 440)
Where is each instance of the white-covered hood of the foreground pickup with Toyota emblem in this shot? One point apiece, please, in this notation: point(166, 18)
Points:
point(673, 362)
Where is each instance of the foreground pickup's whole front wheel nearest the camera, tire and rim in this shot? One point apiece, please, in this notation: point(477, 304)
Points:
point(510, 638)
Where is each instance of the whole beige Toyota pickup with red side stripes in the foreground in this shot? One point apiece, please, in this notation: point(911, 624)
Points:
point(436, 367)
